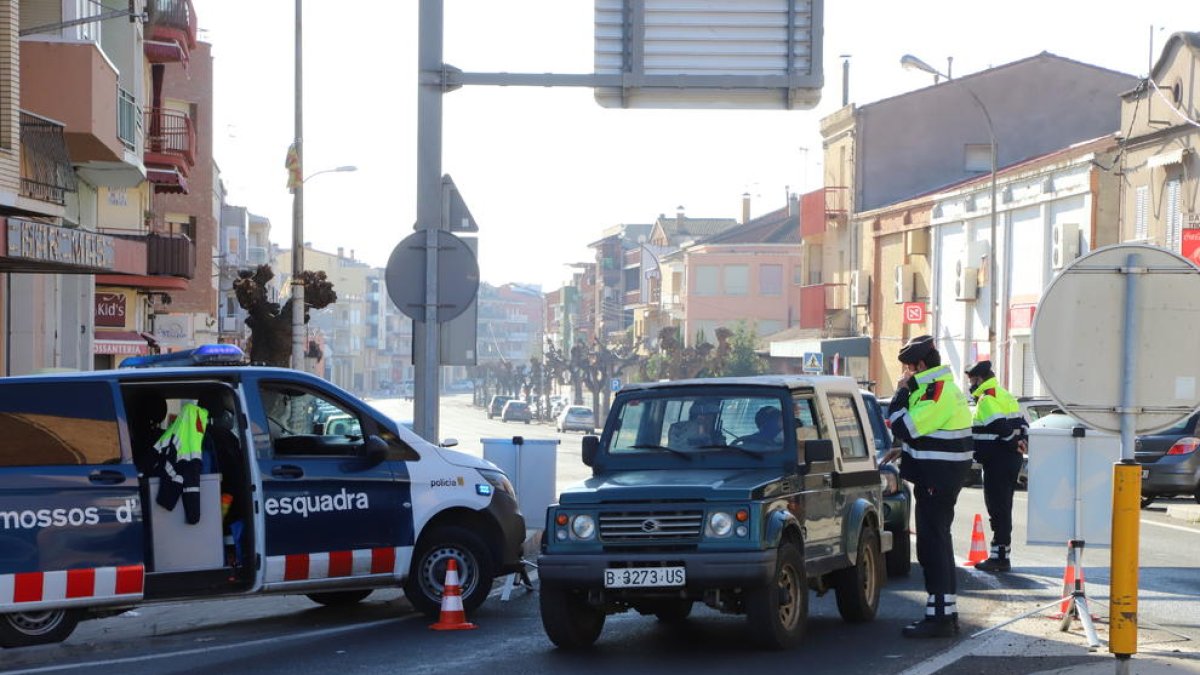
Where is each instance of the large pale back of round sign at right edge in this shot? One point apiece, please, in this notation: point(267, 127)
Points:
point(1079, 338)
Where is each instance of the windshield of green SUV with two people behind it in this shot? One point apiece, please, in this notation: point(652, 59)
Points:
point(691, 425)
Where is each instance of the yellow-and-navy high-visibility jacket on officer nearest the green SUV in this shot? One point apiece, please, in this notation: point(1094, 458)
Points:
point(932, 417)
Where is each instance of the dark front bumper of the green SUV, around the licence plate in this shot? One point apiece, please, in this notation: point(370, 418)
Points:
point(721, 570)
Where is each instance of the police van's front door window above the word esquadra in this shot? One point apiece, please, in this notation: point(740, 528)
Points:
point(303, 423)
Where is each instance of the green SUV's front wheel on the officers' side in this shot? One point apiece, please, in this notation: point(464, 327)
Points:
point(778, 612)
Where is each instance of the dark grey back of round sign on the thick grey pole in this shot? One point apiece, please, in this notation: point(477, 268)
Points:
point(458, 276)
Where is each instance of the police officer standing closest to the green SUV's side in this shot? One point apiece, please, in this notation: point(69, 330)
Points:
point(929, 415)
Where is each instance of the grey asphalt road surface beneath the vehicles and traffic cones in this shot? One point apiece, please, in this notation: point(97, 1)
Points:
point(291, 635)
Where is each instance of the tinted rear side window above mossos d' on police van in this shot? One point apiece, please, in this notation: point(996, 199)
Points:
point(58, 425)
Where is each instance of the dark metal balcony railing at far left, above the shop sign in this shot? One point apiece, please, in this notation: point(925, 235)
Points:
point(46, 172)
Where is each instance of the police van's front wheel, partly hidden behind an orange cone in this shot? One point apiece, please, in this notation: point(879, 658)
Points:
point(435, 552)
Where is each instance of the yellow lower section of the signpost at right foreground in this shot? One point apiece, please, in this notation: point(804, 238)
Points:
point(1124, 592)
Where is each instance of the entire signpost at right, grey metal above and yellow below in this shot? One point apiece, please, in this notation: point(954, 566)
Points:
point(1127, 483)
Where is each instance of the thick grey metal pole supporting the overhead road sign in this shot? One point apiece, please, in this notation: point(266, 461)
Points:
point(427, 339)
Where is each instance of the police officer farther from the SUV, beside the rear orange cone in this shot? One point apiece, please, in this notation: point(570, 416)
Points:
point(1000, 437)
